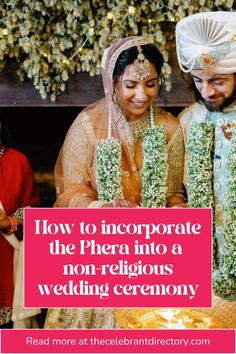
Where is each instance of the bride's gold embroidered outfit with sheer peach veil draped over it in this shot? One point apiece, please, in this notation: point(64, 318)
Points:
point(75, 171)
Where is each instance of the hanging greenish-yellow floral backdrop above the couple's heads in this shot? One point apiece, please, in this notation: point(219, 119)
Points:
point(54, 39)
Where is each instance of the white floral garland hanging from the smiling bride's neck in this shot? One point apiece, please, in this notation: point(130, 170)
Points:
point(154, 173)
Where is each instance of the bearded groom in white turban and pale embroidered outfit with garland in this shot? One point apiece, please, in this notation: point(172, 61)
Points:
point(206, 48)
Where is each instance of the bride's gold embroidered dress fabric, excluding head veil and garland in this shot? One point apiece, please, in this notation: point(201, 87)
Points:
point(76, 187)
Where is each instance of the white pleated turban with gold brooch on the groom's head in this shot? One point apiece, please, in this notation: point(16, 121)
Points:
point(207, 41)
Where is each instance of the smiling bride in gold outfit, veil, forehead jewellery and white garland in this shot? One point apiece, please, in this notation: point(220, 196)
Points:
point(121, 151)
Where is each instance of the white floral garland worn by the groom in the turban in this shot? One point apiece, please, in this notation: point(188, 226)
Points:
point(200, 195)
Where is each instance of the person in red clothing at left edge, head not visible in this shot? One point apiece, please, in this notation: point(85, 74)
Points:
point(17, 190)
